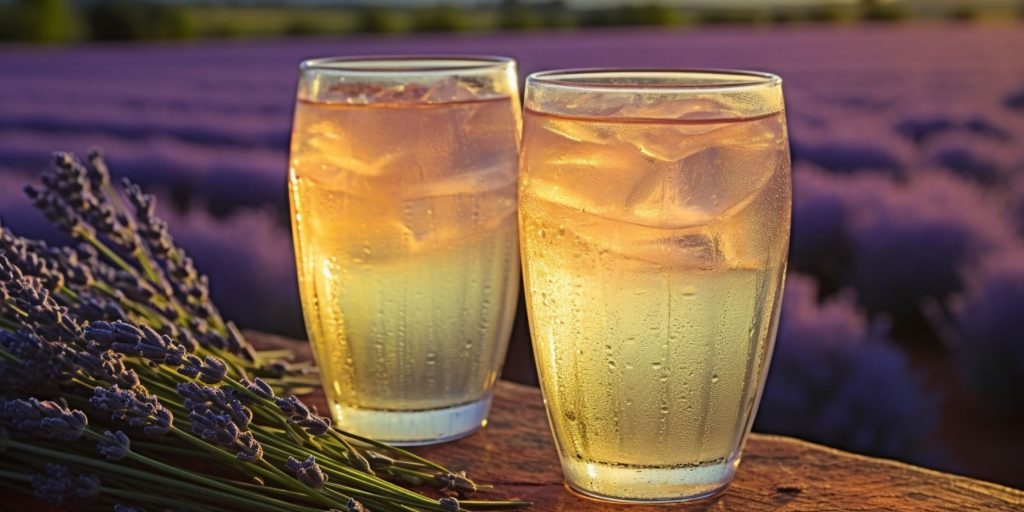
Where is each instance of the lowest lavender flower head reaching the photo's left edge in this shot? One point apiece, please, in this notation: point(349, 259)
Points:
point(46, 420)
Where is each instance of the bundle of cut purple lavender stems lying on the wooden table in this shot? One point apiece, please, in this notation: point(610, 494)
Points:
point(123, 389)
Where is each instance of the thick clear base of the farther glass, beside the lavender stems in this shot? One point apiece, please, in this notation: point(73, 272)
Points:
point(409, 429)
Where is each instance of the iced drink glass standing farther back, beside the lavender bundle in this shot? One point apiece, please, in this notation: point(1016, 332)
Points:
point(403, 185)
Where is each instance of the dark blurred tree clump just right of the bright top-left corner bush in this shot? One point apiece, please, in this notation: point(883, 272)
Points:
point(125, 21)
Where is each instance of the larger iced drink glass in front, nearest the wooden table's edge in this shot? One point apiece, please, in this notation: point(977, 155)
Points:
point(655, 224)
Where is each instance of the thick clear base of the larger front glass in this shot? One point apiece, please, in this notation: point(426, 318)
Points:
point(649, 485)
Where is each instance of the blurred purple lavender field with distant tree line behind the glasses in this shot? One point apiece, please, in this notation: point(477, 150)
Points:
point(902, 332)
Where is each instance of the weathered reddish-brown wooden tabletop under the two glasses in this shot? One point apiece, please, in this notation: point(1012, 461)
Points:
point(517, 453)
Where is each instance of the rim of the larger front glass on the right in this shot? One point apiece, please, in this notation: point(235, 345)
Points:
point(587, 79)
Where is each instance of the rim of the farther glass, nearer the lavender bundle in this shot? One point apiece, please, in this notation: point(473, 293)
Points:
point(407, 65)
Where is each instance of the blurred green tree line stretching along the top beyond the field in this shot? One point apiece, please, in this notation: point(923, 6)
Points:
point(58, 21)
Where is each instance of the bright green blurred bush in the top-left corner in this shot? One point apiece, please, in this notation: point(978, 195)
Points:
point(39, 21)
